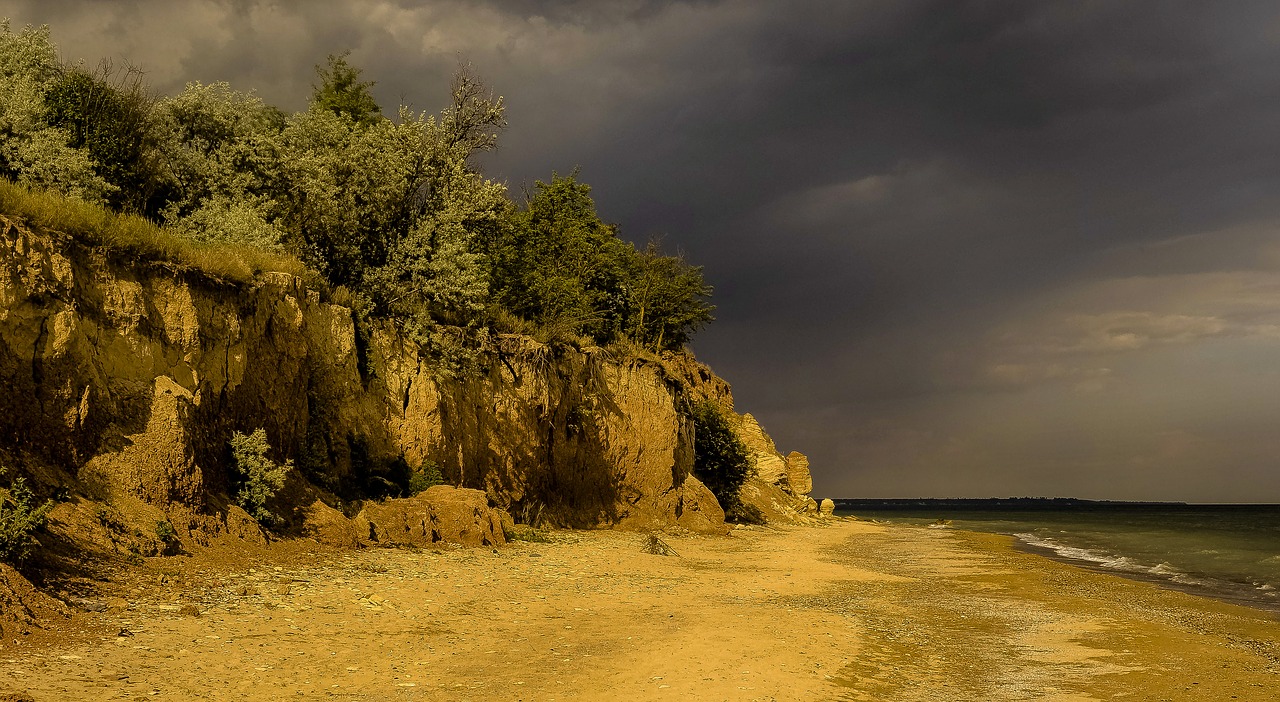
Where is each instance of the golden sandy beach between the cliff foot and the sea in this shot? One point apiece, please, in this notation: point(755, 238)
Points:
point(847, 612)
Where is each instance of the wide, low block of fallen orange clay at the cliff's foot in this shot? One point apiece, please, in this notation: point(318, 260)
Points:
point(440, 514)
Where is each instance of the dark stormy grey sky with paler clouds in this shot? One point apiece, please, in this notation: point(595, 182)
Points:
point(961, 249)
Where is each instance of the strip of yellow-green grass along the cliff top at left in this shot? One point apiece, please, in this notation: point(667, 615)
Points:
point(143, 239)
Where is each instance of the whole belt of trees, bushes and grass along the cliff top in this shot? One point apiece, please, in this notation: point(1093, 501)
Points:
point(387, 213)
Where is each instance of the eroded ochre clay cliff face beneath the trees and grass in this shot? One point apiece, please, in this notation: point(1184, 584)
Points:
point(125, 381)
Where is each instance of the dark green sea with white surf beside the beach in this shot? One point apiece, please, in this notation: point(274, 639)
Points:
point(1224, 551)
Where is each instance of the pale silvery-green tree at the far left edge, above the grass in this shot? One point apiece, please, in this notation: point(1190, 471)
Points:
point(31, 152)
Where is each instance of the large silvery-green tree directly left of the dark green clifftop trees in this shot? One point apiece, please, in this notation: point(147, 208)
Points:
point(392, 209)
